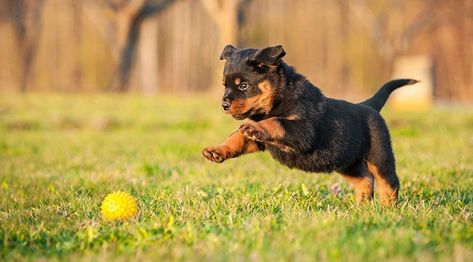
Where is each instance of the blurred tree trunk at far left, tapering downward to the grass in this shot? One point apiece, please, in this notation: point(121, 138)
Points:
point(25, 16)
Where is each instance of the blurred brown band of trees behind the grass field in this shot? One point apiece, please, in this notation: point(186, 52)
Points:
point(347, 48)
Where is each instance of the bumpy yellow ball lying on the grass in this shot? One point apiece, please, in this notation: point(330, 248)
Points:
point(118, 206)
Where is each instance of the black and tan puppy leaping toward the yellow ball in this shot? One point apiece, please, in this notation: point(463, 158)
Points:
point(289, 117)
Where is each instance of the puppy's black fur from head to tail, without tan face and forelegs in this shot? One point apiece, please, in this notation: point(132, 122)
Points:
point(323, 134)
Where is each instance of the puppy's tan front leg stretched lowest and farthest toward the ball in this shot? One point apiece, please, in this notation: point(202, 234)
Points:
point(236, 144)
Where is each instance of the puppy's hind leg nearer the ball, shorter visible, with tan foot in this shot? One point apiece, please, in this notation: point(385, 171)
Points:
point(361, 180)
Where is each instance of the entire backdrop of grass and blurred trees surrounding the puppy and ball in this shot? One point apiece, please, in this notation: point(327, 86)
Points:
point(104, 95)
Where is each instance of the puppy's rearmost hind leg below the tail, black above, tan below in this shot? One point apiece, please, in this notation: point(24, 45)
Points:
point(381, 163)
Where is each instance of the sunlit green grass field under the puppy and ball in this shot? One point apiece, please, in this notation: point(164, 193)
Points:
point(60, 155)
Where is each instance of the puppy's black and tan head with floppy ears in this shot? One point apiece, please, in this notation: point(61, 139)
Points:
point(248, 77)
